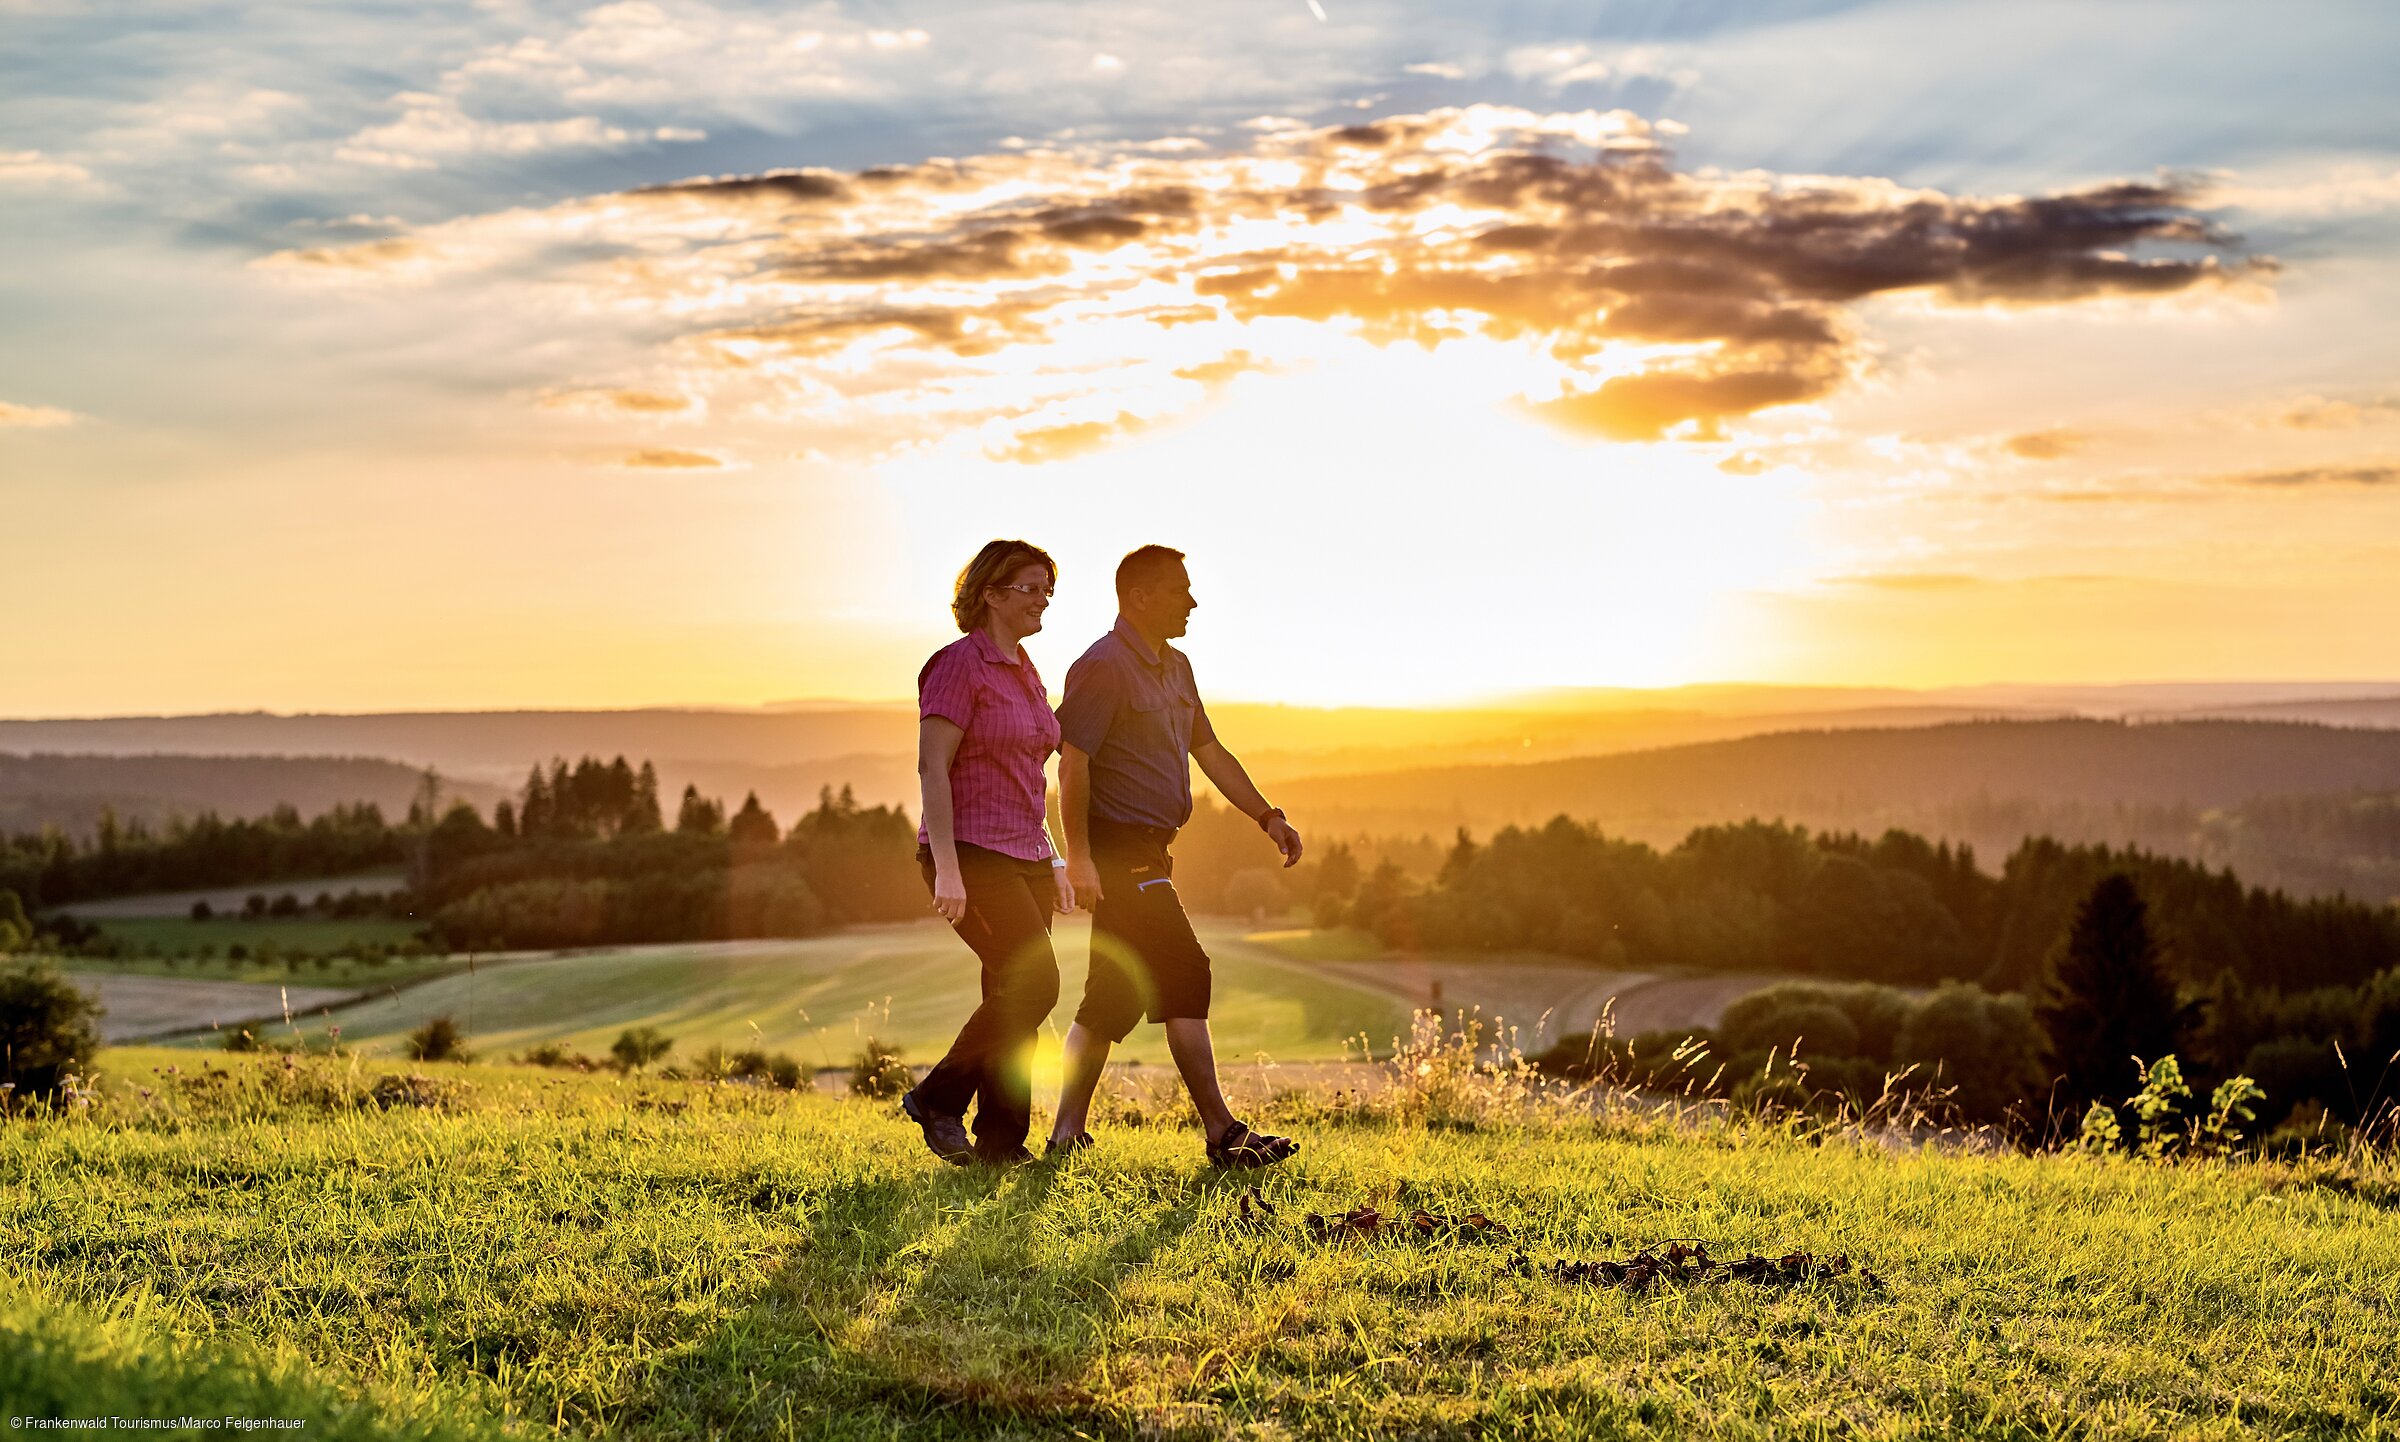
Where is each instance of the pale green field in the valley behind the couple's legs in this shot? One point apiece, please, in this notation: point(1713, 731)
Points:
point(817, 999)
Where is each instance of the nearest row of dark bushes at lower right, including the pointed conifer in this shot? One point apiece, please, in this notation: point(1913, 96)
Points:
point(2106, 1004)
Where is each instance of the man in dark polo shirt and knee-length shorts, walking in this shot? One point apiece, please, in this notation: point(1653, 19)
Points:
point(1129, 719)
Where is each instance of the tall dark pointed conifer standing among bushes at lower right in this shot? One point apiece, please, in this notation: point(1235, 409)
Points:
point(2106, 999)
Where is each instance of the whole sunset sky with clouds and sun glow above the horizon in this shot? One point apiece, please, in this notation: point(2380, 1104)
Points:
point(503, 354)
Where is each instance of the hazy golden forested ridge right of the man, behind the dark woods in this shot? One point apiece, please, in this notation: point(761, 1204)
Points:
point(2291, 805)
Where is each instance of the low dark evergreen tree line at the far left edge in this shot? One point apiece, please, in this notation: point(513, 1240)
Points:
point(128, 858)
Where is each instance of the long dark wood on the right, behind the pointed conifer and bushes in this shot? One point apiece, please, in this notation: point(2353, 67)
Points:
point(1902, 911)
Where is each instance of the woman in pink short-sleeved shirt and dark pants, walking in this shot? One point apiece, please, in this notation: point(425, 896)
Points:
point(983, 735)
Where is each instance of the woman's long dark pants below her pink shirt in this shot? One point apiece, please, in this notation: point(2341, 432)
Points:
point(1009, 908)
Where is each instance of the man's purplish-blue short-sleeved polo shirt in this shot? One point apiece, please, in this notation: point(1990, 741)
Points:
point(1136, 714)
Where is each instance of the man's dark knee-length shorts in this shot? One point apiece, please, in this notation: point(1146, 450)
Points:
point(1146, 959)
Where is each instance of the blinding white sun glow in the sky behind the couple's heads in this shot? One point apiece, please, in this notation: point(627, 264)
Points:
point(1388, 527)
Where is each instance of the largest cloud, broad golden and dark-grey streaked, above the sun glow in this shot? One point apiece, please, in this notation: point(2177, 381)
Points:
point(1103, 282)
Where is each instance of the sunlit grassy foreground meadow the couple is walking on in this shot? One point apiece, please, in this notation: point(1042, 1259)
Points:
point(548, 1254)
